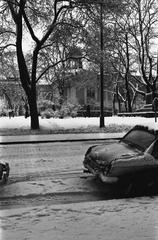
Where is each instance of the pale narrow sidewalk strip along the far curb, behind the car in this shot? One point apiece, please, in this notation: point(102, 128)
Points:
point(46, 138)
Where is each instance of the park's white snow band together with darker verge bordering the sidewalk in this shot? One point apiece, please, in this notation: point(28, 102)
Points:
point(21, 125)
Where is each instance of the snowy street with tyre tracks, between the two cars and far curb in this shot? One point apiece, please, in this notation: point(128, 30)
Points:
point(41, 170)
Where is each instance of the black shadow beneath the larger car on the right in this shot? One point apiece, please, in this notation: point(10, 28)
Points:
point(128, 187)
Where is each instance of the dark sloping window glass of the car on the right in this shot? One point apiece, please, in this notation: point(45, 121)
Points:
point(140, 138)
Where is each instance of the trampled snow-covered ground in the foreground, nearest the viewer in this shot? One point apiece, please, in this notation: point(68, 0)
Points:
point(121, 219)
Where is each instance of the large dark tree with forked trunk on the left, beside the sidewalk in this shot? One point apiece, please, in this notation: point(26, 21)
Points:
point(25, 16)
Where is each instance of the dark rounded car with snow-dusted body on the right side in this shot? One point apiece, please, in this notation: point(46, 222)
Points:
point(134, 157)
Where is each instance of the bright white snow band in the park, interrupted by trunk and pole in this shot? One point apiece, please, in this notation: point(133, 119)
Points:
point(69, 123)
